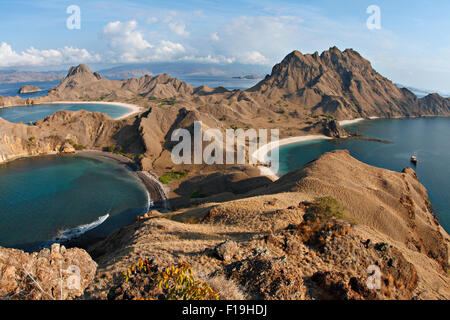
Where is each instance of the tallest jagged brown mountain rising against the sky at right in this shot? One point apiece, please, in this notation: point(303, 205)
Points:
point(343, 84)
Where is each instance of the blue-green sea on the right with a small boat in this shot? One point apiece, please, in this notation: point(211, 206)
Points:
point(429, 138)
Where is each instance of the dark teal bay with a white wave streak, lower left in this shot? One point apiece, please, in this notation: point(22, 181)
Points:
point(47, 197)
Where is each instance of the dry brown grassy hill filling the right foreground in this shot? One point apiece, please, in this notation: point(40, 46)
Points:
point(311, 235)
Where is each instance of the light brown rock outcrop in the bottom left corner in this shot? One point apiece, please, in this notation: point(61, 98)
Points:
point(51, 274)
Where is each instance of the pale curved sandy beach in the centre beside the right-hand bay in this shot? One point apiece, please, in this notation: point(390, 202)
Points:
point(262, 153)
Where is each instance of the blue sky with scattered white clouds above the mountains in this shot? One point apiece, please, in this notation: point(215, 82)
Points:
point(410, 45)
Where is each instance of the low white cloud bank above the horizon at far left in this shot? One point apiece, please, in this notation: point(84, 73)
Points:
point(36, 57)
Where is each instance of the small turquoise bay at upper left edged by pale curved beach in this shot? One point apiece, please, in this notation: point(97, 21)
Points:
point(26, 114)
